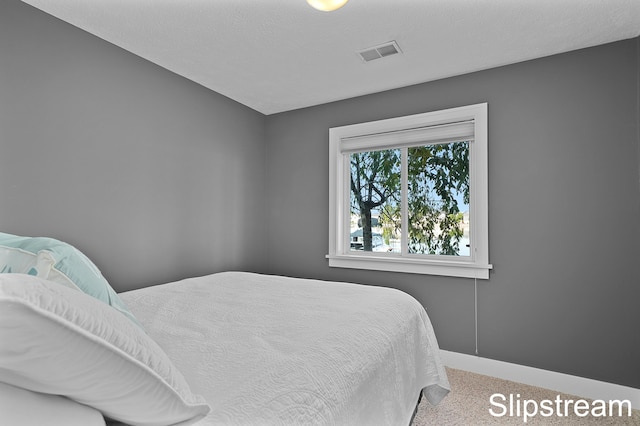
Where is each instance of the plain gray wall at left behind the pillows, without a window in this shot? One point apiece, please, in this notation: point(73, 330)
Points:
point(149, 174)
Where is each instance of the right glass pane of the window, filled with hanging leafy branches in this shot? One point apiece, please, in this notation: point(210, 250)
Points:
point(438, 199)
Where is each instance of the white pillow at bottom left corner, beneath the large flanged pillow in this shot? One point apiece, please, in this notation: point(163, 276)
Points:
point(23, 407)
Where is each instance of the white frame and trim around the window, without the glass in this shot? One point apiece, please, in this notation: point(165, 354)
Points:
point(395, 131)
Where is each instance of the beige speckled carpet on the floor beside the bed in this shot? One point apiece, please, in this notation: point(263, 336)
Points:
point(469, 404)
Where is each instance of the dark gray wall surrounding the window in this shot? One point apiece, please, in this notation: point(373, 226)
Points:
point(564, 197)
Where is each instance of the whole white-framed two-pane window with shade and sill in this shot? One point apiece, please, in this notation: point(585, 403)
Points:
point(410, 194)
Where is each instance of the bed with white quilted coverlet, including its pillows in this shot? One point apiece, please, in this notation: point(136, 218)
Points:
point(231, 348)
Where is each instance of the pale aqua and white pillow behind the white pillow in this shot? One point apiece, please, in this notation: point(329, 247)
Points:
point(70, 267)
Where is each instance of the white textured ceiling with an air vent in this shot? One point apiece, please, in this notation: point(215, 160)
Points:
point(280, 55)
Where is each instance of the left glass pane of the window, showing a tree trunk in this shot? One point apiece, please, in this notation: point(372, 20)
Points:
point(375, 200)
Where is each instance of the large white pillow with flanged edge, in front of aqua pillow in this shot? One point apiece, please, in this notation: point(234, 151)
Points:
point(61, 341)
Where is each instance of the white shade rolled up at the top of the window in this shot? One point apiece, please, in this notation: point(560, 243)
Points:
point(442, 133)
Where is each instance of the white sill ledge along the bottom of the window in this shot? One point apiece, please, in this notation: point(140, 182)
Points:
point(448, 268)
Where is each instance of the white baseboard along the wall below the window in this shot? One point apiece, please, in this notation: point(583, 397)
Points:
point(564, 383)
